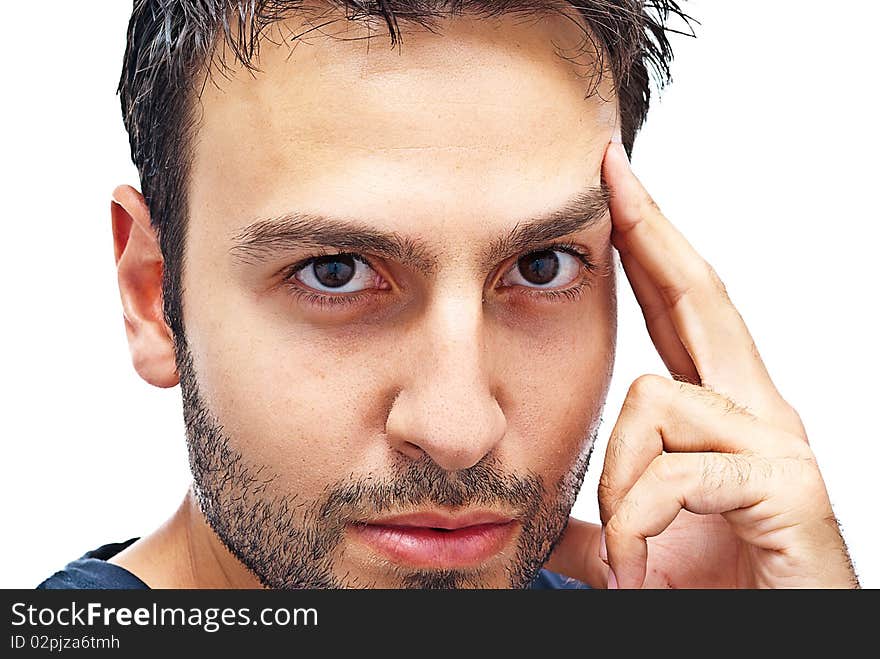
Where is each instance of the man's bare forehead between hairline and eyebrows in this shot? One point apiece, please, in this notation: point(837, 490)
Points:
point(482, 119)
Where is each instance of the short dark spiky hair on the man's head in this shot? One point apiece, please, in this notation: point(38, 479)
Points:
point(173, 45)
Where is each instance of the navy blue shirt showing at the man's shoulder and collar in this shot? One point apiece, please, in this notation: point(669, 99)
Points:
point(92, 571)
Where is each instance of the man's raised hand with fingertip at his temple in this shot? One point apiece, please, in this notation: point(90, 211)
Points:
point(713, 466)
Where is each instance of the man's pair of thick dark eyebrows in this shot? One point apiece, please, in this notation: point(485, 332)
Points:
point(266, 237)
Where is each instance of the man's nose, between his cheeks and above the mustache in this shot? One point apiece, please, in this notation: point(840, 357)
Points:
point(446, 407)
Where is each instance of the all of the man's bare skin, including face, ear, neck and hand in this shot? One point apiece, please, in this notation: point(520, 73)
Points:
point(451, 143)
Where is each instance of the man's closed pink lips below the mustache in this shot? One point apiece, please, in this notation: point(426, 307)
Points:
point(437, 540)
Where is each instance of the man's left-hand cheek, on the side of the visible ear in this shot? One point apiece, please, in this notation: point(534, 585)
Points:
point(287, 397)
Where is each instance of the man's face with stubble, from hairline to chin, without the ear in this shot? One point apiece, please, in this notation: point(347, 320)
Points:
point(417, 409)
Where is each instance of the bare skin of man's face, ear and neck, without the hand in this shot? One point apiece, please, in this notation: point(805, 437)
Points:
point(480, 134)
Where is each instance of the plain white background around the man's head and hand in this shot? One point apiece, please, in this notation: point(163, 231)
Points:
point(763, 152)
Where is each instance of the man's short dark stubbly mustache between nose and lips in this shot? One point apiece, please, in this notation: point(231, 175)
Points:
point(425, 483)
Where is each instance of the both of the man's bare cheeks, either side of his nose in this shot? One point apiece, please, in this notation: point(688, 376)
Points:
point(313, 404)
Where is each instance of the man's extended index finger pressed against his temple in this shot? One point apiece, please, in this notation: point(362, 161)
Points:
point(709, 326)
